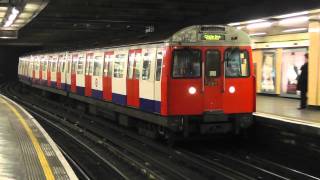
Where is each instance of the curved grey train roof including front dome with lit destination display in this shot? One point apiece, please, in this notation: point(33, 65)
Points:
point(193, 35)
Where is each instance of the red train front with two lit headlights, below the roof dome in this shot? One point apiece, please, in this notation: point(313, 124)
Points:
point(212, 87)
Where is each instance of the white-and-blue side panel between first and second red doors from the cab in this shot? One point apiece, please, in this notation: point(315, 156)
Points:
point(119, 90)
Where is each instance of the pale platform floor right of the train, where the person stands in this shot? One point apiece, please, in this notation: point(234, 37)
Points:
point(286, 109)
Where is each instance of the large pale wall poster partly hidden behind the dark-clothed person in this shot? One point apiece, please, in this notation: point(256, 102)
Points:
point(292, 60)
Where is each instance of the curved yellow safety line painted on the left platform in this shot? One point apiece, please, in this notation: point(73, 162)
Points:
point(44, 163)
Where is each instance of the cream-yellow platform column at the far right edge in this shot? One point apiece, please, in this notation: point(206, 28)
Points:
point(314, 64)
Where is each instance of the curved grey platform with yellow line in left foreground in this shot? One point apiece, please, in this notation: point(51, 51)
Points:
point(26, 150)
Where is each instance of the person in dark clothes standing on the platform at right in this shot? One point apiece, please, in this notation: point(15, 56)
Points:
point(303, 83)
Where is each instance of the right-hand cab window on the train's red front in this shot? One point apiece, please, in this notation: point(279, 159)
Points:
point(236, 63)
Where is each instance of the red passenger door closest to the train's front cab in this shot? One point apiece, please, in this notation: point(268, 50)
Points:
point(133, 73)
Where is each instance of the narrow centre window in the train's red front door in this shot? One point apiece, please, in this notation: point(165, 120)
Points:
point(212, 65)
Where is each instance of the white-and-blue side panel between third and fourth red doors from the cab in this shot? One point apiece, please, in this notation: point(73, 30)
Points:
point(80, 79)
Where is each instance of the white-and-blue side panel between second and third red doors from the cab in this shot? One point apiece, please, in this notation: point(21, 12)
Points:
point(97, 90)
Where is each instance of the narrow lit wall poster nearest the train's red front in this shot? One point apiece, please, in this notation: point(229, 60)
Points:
point(268, 70)
